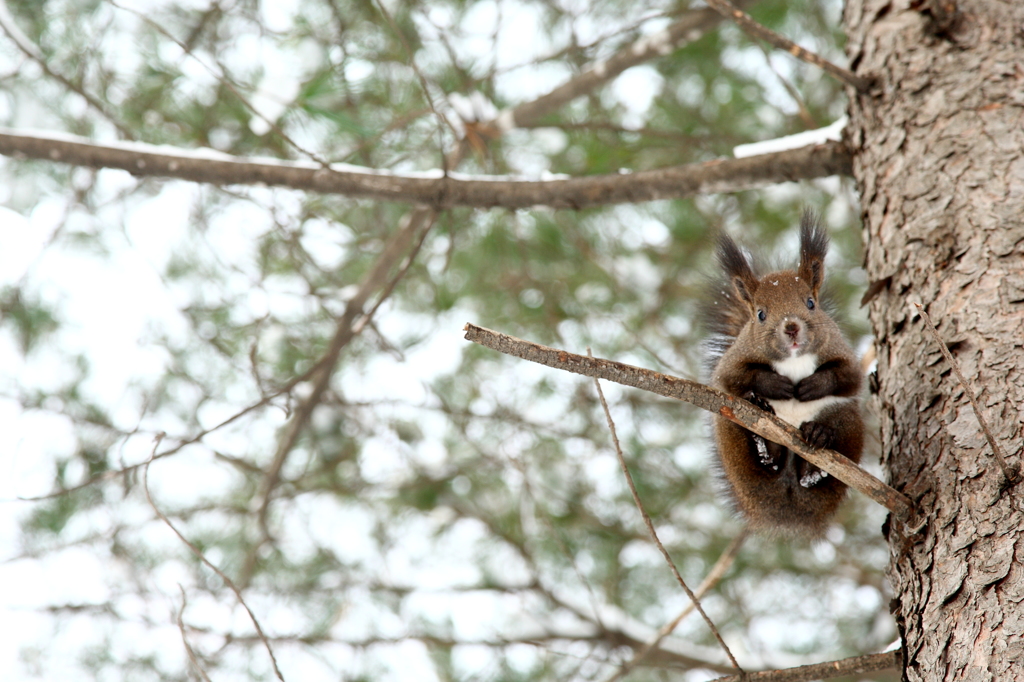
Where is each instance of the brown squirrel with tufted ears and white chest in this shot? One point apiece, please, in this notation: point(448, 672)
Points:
point(774, 345)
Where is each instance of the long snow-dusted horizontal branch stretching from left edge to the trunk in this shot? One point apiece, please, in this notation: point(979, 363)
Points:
point(434, 188)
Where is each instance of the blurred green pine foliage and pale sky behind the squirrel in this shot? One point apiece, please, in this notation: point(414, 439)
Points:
point(445, 513)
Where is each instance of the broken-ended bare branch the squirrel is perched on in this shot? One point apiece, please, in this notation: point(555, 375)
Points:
point(706, 398)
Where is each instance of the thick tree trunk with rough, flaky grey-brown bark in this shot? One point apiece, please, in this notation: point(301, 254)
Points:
point(940, 157)
